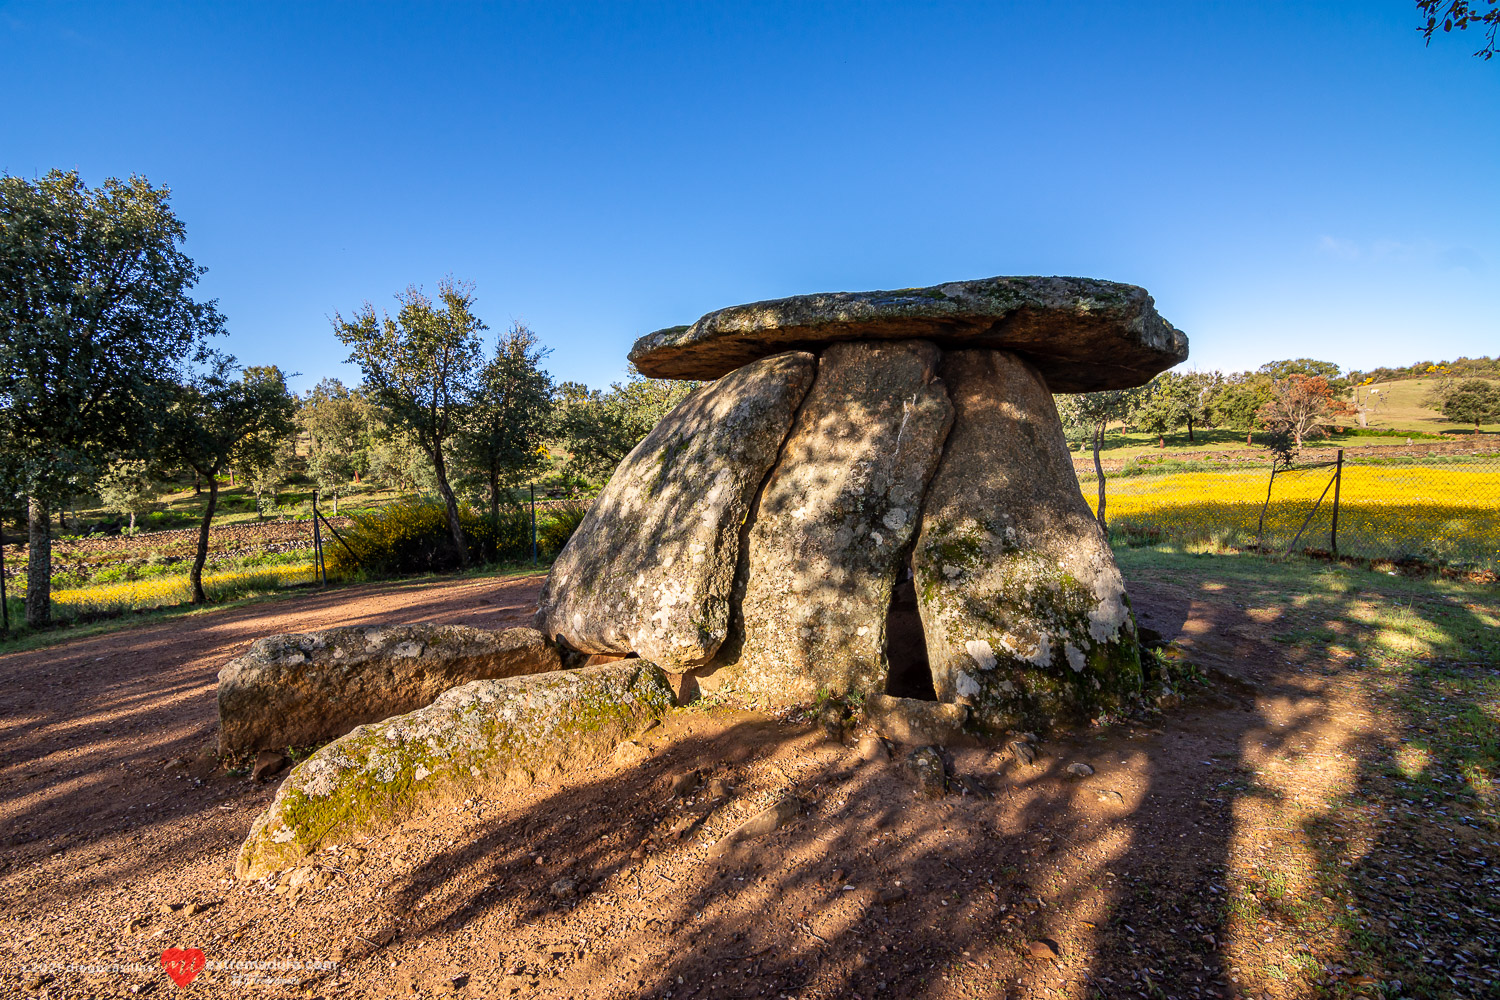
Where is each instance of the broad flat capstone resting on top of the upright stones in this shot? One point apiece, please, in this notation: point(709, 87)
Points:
point(1084, 335)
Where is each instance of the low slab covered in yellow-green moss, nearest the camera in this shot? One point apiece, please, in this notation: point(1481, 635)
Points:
point(479, 735)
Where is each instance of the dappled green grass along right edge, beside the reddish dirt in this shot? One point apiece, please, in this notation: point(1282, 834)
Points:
point(1400, 855)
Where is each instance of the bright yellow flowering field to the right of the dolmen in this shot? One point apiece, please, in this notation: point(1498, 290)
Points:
point(1445, 513)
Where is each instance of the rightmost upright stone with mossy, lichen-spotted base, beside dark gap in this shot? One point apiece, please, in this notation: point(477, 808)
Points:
point(1022, 603)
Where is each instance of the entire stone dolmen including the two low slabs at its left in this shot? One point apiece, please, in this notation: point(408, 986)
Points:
point(871, 500)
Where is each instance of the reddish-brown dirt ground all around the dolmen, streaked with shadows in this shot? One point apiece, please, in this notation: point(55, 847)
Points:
point(1288, 831)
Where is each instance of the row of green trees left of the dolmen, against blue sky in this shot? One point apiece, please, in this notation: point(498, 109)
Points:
point(110, 385)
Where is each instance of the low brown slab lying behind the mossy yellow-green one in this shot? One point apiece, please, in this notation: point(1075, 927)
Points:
point(307, 689)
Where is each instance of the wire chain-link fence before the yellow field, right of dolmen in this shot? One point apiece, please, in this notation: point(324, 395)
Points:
point(1433, 504)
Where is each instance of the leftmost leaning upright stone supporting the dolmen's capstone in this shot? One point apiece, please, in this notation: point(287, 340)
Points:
point(652, 567)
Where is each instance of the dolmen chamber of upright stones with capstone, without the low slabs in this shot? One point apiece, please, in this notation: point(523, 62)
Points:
point(874, 497)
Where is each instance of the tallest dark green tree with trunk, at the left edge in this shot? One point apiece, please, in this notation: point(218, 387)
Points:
point(95, 320)
